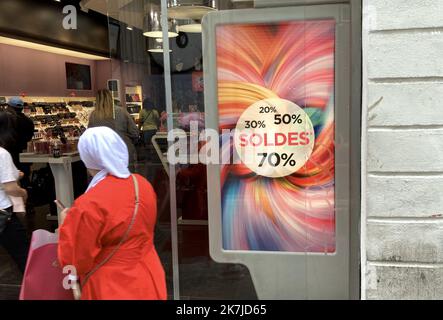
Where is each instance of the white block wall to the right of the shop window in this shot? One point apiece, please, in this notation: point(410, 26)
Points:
point(402, 176)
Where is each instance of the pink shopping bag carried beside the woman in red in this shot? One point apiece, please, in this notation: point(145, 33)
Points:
point(43, 278)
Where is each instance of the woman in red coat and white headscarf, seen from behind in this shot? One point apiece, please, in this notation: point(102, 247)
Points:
point(107, 235)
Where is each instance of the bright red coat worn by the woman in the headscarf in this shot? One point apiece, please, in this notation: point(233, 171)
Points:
point(96, 223)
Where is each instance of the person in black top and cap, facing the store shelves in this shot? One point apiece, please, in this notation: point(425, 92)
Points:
point(24, 131)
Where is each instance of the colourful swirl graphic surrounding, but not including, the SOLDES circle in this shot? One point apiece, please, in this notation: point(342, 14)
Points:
point(292, 61)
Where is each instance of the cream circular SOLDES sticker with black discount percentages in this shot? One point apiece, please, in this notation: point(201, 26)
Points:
point(274, 137)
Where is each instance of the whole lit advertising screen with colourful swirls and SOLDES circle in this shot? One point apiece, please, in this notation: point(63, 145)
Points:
point(276, 92)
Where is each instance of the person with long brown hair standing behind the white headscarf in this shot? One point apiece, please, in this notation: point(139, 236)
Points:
point(107, 114)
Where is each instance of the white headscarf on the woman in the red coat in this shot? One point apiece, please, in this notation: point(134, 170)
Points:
point(101, 148)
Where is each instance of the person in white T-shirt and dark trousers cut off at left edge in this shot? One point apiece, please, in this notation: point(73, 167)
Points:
point(12, 233)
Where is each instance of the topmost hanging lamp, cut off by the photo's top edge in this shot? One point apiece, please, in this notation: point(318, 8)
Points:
point(190, 9)
